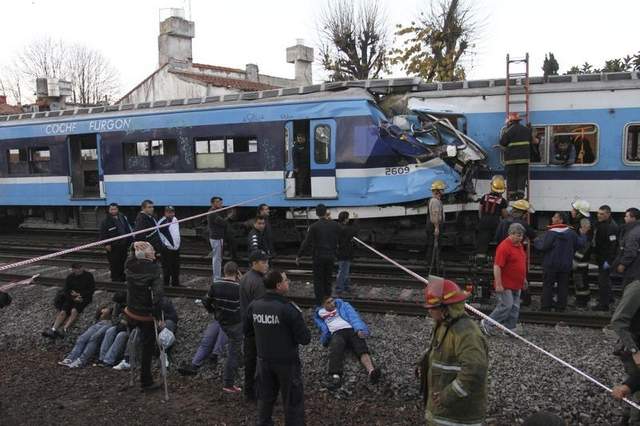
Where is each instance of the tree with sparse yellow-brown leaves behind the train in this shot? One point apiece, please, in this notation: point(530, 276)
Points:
point(433, 46)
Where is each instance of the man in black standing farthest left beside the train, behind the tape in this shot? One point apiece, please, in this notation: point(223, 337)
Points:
point(114, 225)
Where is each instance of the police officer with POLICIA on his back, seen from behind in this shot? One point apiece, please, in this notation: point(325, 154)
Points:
point(279, 328)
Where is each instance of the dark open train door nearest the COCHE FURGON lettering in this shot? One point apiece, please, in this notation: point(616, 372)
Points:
point(84, 167)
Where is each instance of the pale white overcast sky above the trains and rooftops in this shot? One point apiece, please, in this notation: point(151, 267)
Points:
point(234, 33)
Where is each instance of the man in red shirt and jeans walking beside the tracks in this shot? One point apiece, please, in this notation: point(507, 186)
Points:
point(510, 275)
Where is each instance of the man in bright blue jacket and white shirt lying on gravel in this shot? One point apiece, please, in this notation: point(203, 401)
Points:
point(340, 327)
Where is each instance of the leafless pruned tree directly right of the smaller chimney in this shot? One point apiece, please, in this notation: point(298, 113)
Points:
point(353, 40)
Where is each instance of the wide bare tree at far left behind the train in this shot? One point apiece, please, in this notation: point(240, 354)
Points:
point(93, 79)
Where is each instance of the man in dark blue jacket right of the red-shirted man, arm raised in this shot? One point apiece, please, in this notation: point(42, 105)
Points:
point(559, 245)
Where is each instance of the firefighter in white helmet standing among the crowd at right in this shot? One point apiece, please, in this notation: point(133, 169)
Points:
point(580, 221)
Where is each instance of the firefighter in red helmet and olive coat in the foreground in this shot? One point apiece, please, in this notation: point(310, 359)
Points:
point(453, 370)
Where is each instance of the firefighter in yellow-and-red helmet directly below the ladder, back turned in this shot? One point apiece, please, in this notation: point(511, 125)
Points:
point(491, 208)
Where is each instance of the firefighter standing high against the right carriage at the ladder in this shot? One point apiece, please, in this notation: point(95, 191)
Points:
point(516, 141)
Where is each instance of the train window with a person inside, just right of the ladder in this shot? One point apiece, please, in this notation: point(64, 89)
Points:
point(573, 144)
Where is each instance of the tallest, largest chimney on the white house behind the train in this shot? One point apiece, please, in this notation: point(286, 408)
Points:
point(174, 41)
